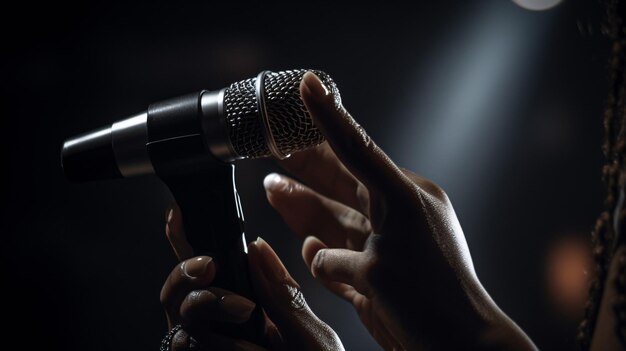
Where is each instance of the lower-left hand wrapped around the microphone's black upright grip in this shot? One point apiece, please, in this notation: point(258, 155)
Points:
point(190, 300)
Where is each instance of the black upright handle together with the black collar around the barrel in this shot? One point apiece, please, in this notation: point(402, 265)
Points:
point(204, 189)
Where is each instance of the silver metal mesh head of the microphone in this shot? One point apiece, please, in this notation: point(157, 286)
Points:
point(266, 116)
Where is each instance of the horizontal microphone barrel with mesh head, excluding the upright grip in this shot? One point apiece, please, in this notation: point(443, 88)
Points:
point(252, 118)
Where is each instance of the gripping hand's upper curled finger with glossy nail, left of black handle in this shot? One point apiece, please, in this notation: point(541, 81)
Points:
point(189, 275)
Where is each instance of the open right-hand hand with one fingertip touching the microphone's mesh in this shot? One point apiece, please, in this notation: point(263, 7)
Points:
point(384, 239)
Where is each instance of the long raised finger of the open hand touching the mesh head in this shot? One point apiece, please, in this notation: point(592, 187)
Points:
point(361, 156)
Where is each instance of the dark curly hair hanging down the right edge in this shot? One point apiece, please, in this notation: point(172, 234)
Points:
point(607, 234)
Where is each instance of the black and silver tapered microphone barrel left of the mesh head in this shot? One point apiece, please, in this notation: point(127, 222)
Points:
point(170, 136)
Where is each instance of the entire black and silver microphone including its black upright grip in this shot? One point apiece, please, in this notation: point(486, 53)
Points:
point(190, 142)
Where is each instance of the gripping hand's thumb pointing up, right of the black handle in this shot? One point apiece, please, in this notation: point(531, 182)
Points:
point(284, 304)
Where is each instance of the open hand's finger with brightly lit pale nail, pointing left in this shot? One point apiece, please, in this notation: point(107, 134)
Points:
point(307, 213)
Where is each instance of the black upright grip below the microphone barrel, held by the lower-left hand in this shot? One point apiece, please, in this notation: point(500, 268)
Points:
point(213, 222)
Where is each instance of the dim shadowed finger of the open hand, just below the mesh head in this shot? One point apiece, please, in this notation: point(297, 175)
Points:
point(320, 169)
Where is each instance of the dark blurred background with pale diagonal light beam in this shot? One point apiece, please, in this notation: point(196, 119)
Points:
point(500, 105)
